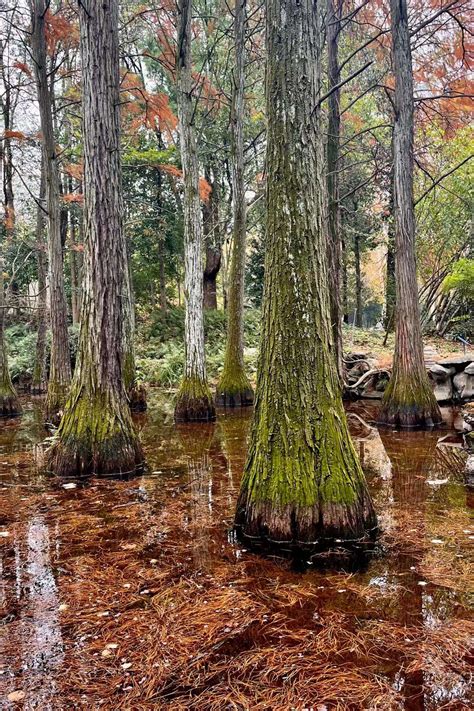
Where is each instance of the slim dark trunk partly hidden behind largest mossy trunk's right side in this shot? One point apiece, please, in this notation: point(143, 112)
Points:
point(333, 19)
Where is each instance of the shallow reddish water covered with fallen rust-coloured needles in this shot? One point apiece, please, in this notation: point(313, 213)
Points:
point(135, 595)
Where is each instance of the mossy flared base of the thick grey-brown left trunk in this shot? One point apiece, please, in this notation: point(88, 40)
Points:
point(96, 437)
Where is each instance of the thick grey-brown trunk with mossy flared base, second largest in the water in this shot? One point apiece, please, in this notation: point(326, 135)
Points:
point(96, 434)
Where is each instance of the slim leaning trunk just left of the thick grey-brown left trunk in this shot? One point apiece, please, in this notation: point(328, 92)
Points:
point(60, 368)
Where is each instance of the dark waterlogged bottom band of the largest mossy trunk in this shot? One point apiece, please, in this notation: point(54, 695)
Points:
point(307, 529)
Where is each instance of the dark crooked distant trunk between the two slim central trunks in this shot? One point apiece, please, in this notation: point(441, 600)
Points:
point(212, 243)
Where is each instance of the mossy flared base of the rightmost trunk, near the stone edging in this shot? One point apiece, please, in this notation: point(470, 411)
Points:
point(406, 404)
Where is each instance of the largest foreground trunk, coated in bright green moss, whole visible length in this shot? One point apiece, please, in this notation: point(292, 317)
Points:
point(303, 484)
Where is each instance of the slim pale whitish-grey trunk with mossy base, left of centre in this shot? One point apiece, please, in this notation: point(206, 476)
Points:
point(194, 398)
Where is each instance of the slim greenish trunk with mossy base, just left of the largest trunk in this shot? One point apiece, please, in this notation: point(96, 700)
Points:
point(234, 388)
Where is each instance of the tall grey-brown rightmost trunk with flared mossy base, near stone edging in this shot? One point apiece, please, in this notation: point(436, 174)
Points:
point(409, 399)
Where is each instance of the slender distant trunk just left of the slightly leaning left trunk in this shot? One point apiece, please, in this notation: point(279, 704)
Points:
point(40, 380)
